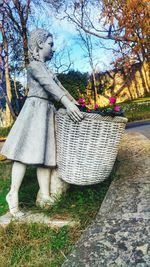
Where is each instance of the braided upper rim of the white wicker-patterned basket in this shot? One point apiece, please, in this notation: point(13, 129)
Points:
point(92, 116)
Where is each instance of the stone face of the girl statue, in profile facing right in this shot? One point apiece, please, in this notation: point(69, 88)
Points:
point(48, 49)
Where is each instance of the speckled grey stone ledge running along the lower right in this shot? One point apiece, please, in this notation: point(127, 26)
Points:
point(120, 236)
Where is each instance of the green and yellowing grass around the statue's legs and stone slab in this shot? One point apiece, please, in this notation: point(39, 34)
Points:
point(38, 245)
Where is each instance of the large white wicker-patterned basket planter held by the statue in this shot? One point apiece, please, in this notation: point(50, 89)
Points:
point(86, 151)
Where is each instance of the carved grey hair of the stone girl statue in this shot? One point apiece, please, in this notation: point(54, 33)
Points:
point(36, 36)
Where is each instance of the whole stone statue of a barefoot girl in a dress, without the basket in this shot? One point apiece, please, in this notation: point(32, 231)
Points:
point(32, 138)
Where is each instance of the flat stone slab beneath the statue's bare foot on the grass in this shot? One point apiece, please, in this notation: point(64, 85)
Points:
point(37, 218)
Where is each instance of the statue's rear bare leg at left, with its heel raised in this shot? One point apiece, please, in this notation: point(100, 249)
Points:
point(18, 172)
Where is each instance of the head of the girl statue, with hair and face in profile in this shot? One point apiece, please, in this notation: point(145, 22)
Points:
point(40, 45)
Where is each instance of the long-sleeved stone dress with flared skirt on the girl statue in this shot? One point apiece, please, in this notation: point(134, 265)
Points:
point(32, 139)
